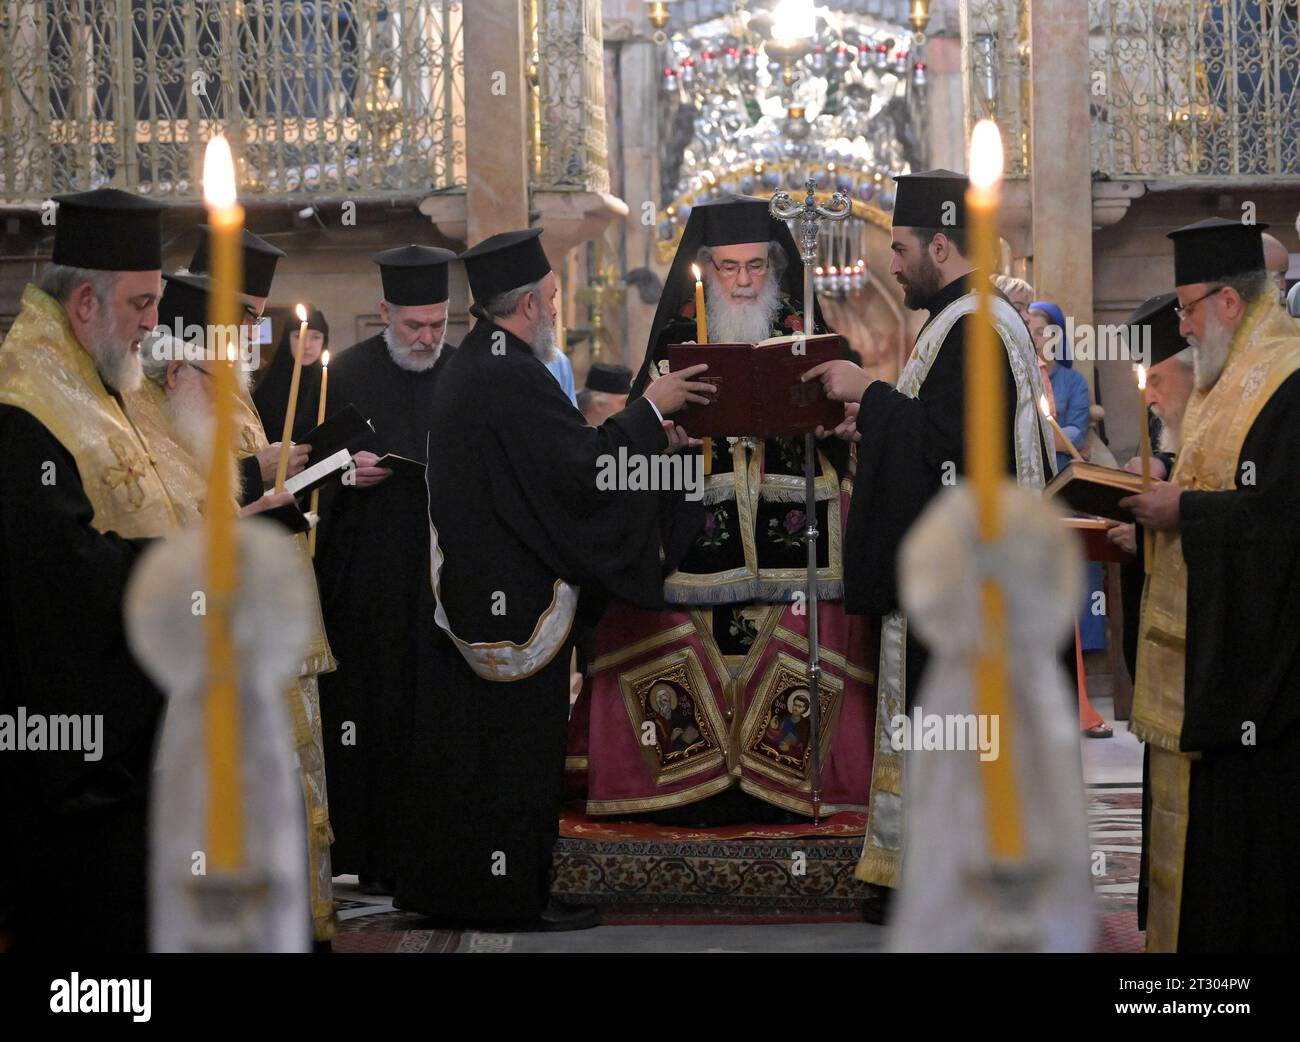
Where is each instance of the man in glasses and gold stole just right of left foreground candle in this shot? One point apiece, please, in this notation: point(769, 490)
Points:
point(258, 458)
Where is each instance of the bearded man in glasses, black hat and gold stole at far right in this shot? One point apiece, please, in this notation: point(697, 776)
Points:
point(1217, 698)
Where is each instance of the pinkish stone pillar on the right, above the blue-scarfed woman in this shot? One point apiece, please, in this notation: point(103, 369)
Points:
point(1061, 184)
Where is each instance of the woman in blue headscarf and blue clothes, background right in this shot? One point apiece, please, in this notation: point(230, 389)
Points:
point(1071, 405)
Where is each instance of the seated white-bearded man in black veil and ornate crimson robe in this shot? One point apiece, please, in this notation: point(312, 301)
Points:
point(701, 714)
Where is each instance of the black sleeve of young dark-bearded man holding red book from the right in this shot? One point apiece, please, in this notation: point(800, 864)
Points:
point(903, 455)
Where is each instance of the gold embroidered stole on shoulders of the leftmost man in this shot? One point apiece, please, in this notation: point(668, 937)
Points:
point(47, 374)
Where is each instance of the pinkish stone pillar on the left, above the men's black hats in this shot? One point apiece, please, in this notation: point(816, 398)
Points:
point(496, 120)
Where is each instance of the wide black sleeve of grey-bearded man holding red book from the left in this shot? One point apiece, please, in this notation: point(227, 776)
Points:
point(603, 540)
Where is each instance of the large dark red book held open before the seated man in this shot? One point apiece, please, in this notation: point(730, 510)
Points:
point(760, 392)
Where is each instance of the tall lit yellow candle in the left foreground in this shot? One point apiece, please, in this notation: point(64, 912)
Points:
point(226, 804)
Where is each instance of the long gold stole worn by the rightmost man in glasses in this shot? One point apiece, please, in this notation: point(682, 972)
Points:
point(1266, 351)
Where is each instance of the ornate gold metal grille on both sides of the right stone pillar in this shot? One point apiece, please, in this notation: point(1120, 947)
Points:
point(1180, 88)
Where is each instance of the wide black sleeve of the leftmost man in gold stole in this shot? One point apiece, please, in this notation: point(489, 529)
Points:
point(62, 585)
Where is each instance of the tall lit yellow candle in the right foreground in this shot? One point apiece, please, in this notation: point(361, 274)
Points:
point(986, 448)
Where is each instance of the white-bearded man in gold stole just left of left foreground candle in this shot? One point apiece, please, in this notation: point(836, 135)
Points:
point(174, 413)
